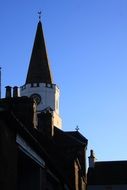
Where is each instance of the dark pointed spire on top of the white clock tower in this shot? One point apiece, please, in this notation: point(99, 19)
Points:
point(39, 70)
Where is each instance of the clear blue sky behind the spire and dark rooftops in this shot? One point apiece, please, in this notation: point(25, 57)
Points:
point(87, 48)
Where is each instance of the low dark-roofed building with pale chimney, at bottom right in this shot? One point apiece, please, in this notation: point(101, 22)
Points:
point(106, 175)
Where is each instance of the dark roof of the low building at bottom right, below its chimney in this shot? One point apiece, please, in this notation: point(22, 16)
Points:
point(108, 173)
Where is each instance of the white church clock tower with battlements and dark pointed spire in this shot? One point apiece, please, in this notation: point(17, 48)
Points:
point(39, 83)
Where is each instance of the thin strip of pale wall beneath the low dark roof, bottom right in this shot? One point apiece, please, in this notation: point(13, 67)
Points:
point(107, 187)
